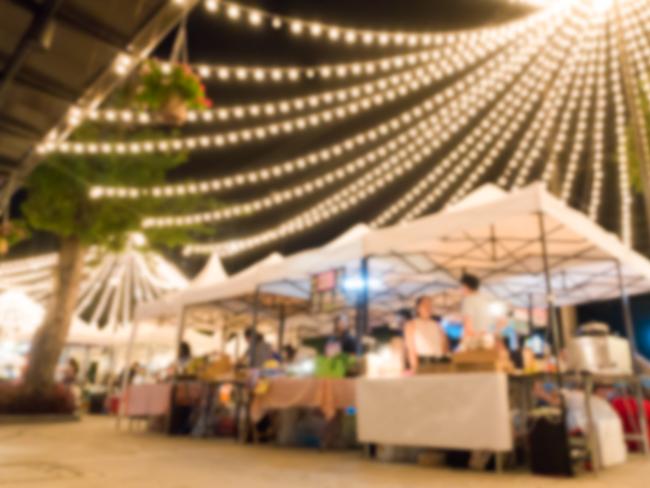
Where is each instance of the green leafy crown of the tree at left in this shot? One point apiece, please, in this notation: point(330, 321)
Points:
point(58, 198)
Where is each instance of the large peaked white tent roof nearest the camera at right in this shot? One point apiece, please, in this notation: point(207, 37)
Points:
point(499, 242)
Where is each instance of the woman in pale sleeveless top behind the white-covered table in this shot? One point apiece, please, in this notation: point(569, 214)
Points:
point(425, 340)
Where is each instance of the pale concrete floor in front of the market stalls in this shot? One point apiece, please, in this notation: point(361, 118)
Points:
point(91, 454)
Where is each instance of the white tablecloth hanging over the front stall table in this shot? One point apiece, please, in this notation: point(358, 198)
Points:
point(468, 411)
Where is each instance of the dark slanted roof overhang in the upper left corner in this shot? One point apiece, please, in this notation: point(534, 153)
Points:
point(58, 57)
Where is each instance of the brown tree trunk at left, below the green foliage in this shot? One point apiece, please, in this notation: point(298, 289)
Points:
point(50, 338)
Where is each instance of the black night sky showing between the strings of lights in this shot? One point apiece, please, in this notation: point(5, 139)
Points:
point(214, 40)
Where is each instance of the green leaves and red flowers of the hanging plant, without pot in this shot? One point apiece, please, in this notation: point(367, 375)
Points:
point(158, 86)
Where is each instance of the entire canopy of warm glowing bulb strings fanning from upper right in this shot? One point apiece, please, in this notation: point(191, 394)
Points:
point(550, 111)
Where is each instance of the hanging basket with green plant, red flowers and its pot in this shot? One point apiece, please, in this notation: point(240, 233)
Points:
point(170, 90)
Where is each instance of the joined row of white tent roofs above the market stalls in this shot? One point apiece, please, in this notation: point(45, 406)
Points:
point(492, 234)
